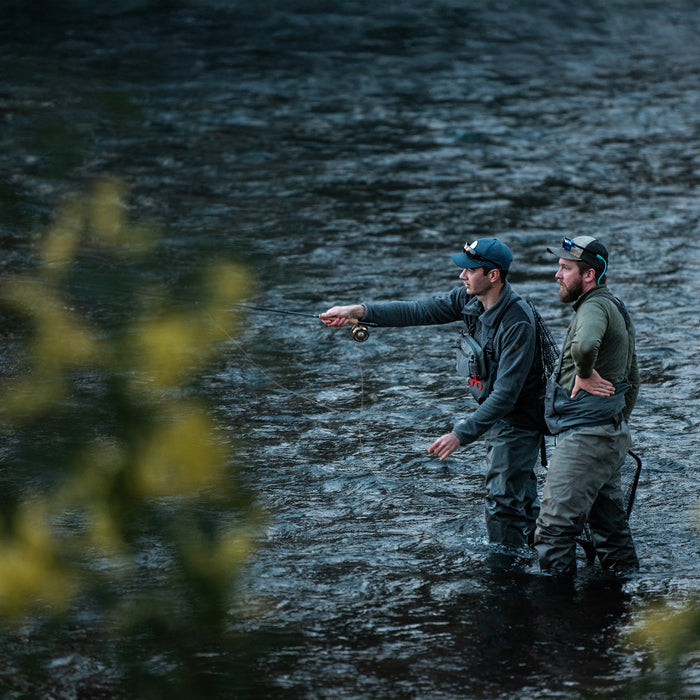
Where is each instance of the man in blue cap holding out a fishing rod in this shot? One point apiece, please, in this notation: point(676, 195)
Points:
point(496, 357)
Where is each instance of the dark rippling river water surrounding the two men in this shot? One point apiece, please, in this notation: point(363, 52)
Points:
point(343, 149)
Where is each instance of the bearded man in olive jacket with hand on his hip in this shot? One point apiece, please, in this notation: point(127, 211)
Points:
point(583, 479)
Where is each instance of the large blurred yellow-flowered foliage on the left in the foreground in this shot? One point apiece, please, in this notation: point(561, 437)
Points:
point(121, 515)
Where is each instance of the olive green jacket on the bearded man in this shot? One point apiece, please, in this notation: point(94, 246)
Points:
point(598, 339)
